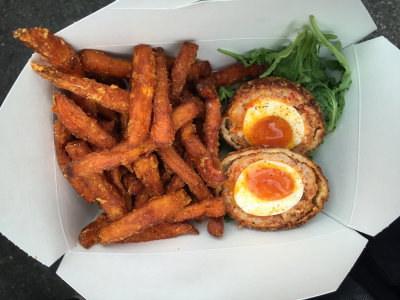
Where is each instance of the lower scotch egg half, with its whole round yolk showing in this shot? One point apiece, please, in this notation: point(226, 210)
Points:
point(272, 188)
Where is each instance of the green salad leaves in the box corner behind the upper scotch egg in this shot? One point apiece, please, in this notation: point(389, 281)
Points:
point(327, 79)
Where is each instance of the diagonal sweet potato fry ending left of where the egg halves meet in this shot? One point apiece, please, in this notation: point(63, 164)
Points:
point(204, 163)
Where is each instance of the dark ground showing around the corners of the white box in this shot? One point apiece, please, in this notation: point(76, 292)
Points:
point(376, 274)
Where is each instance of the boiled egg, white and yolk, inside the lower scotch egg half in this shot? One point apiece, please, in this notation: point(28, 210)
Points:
point(266, 188)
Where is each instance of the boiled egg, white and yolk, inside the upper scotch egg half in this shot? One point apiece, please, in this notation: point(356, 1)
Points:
point(273, 123)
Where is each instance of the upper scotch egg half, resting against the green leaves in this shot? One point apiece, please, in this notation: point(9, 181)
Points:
point(273, 111)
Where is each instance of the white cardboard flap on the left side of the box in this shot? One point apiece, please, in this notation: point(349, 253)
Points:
point(29, 214)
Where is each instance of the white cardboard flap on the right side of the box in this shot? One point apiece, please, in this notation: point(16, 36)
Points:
point(377, 199)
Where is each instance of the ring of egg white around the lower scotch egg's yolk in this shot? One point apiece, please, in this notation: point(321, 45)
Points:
point(253, 205)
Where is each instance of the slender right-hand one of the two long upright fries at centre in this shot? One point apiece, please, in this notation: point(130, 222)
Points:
point(162, 130)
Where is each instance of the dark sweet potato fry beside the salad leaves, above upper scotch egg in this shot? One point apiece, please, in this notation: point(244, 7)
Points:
point(235, 74)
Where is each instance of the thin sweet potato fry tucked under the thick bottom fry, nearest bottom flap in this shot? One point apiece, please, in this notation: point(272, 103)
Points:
point(162, 231)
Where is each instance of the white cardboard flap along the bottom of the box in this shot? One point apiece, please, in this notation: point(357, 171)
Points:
point(278, 270)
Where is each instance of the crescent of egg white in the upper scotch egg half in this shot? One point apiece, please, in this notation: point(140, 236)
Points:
point(270, 107)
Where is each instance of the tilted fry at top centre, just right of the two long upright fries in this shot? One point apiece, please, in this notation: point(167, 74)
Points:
point(183, 62)
